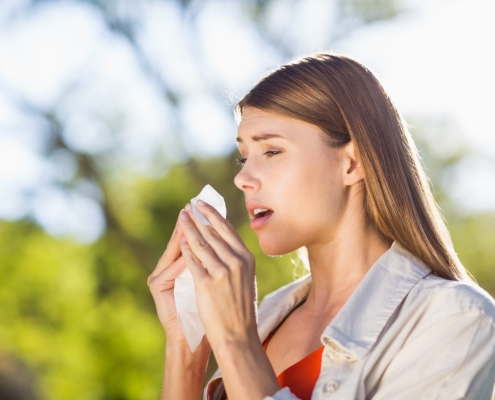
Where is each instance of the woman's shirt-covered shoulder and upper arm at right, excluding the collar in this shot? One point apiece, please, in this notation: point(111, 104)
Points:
point(441, 345)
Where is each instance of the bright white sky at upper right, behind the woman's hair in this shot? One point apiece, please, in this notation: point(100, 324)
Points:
point(439, 62)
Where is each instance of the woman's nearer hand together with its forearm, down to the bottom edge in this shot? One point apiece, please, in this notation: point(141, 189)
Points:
point(223, 270)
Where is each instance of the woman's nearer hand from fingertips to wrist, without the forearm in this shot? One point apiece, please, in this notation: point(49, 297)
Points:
point(224, 275)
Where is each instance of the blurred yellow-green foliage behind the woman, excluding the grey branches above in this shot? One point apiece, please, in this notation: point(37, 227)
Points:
point(81, 315)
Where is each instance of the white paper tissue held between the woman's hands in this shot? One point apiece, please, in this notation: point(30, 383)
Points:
point(184, 291)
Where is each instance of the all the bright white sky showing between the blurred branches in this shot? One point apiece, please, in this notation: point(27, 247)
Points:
point(437, 62)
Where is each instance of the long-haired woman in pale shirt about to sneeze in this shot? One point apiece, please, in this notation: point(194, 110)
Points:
point(388, 311)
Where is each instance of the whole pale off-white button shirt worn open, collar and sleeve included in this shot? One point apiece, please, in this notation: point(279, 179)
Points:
point(403, 334)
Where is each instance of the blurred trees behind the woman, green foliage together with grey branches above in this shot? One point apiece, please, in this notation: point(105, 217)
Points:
point(77, 320)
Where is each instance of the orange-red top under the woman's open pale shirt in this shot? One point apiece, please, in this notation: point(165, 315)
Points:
point(300, 377)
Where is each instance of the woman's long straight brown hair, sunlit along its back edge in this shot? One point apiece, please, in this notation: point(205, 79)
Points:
point(344, 99)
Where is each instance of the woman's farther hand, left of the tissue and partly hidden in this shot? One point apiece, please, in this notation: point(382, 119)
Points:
point(161, 284)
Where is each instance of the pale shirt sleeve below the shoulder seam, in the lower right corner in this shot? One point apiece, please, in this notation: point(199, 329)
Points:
point(454, 358)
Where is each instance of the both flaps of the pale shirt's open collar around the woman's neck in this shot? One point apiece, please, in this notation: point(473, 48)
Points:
point(356, 327)
